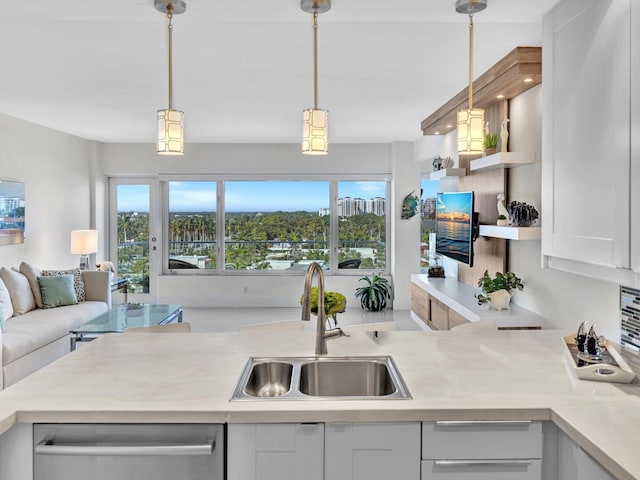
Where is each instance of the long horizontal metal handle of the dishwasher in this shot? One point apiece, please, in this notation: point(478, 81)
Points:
point(50, 447)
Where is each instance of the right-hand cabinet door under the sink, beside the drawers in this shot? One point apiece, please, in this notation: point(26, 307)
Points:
point(372, 451)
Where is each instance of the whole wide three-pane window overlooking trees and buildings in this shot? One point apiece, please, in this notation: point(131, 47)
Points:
point(275, 225)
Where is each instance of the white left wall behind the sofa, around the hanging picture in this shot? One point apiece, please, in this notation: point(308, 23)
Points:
point(55, 169)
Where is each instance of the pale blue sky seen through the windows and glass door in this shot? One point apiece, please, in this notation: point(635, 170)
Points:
point(264, 196)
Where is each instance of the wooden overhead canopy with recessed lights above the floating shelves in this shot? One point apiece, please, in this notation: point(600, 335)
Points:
point(515, 73)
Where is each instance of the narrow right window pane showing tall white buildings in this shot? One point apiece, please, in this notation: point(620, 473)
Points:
point(362, 224)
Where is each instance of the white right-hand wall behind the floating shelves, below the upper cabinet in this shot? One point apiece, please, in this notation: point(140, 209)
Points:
point(564, 299)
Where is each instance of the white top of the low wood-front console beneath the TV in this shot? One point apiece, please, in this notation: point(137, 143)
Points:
point(459, 297)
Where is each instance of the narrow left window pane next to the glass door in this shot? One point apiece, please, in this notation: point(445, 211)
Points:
point(192, 225)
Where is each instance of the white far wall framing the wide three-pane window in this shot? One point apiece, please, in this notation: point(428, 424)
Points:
point(258, 160)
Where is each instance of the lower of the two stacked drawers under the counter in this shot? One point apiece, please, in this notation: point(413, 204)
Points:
point(481, 470)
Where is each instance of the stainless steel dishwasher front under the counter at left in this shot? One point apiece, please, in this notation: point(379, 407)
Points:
point(128, 452)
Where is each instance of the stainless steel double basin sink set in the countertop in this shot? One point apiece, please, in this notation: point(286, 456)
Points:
point(320, 378)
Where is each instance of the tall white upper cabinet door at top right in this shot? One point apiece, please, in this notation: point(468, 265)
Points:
point(586, 132)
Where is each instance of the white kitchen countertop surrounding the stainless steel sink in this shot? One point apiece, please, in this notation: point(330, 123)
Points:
point(467, 375)
